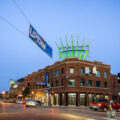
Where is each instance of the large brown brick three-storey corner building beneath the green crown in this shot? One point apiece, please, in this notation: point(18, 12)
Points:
point(72, 81)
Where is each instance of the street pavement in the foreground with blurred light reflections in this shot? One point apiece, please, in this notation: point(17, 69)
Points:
point(11, 111)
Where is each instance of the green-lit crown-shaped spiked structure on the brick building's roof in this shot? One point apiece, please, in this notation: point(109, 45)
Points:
point(73, 48)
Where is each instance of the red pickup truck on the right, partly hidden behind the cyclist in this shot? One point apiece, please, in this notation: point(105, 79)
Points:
point(102, 105)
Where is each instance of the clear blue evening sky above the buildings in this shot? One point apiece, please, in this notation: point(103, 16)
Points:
point(96, 19)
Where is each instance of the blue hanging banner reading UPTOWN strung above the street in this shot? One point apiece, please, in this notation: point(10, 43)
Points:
point(40, 41)
